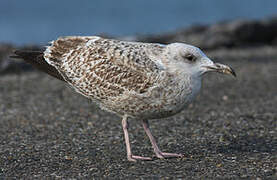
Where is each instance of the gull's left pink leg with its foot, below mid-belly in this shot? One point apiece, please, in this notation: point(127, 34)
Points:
point(130, 157)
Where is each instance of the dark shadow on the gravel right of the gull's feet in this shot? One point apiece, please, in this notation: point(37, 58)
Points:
point(240, 145)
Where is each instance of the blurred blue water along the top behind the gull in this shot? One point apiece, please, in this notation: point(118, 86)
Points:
point(34, 21)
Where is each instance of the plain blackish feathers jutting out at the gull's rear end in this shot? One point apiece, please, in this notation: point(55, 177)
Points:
point(36, 59)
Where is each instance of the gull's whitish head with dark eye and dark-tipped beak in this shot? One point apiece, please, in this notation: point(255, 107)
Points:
point(191, 60)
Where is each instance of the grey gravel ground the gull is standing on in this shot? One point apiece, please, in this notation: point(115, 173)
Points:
point(48, 130)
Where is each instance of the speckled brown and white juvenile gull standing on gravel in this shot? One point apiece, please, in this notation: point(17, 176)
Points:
point(135, 80)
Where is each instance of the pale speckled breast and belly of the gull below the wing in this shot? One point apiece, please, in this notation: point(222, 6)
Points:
point(168, 97)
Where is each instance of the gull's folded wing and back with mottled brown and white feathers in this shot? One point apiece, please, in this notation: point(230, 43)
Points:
point(103, 68)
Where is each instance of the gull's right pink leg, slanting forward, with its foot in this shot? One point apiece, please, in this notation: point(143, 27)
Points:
point(157, 151)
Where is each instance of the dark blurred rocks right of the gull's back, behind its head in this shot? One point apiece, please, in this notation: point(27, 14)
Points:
point(230, 34)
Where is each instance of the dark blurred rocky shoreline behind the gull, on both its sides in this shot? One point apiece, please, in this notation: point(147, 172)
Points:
point(224, 35)
